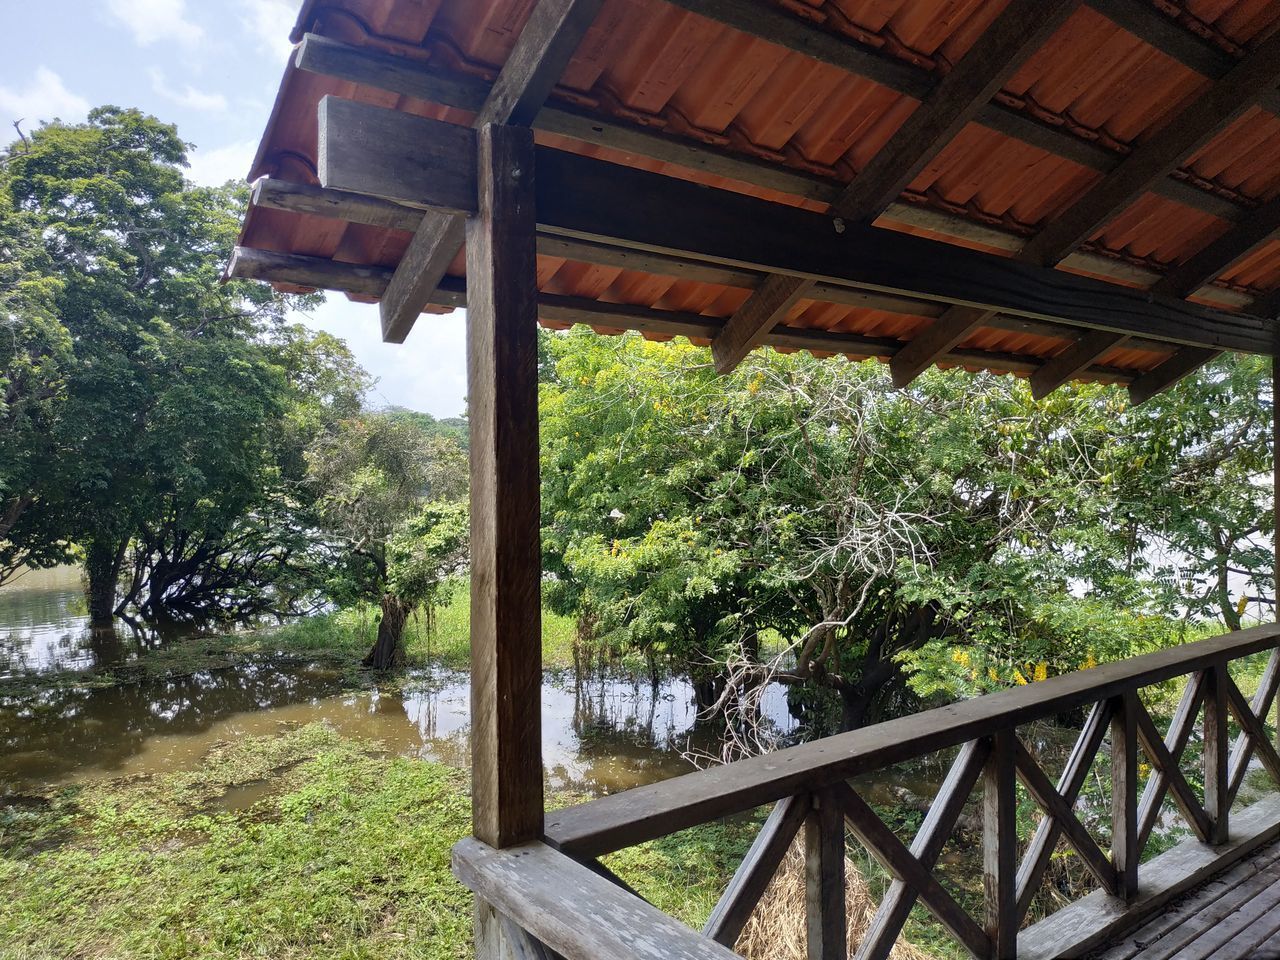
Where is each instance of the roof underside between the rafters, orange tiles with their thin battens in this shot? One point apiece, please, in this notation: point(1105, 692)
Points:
point(796, 117)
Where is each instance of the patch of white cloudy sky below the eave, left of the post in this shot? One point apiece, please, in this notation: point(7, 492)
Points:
point(428, 372)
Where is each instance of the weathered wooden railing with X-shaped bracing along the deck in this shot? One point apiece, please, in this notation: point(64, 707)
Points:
point(559, 897)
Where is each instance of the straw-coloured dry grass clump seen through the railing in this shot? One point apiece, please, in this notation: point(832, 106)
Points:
point(778, 927)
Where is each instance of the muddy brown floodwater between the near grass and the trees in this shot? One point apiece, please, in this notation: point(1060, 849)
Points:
point(598, 737)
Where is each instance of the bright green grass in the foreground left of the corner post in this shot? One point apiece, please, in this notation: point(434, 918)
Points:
point(345, 857)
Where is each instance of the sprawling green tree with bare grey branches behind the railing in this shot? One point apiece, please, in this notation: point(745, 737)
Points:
point(959, 532)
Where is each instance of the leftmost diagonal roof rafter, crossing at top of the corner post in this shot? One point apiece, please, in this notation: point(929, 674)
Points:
point(543, 51)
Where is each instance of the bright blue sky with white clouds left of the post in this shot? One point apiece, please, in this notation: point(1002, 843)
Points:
point(212, 67)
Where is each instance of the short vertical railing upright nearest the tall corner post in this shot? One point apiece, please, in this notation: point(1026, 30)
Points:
point(825, 879)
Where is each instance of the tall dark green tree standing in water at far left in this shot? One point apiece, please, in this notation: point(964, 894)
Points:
point(170, 388)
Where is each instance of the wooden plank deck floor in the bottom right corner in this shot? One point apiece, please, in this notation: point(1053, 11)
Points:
point(1233, 917)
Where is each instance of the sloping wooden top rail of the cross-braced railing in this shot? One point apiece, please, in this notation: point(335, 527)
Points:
point(661, 810)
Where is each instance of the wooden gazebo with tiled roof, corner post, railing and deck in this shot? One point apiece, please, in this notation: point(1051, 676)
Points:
point(1054, 189)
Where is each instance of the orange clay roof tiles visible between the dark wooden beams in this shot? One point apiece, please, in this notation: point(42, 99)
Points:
point(655, 65)
